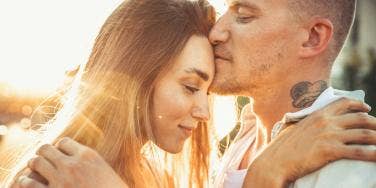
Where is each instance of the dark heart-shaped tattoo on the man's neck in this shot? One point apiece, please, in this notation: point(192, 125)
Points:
point(305, 93)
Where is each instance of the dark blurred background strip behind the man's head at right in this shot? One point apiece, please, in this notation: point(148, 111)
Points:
point(356, 66)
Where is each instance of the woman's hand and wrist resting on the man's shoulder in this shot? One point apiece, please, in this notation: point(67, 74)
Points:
point(320, 138)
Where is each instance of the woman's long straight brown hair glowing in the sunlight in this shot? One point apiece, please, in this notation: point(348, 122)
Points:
point(110, 107)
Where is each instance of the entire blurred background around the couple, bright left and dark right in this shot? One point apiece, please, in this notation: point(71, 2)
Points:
point(42, 41)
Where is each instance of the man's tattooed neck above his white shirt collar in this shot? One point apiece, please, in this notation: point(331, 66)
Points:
point(270, 104)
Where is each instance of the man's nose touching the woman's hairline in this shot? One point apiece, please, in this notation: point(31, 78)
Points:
point(219, 32)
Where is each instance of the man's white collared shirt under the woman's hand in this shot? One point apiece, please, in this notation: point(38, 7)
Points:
point(341, 174)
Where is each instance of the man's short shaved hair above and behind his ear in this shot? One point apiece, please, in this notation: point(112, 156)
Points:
point(340, 12)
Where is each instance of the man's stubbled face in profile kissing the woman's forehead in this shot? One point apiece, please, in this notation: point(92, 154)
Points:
point(254, 44)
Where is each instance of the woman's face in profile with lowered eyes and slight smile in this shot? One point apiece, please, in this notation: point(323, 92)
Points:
point(180, 98)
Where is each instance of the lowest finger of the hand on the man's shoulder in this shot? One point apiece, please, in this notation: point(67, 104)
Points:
point(358, 152)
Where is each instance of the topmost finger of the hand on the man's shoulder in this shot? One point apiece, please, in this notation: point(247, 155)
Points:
point(346, 105)
